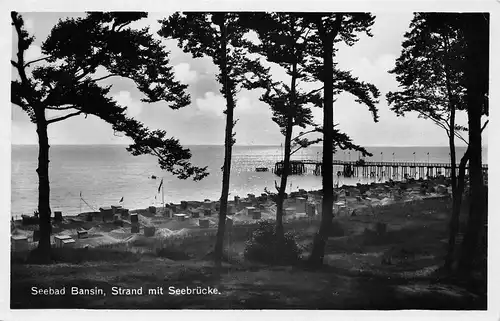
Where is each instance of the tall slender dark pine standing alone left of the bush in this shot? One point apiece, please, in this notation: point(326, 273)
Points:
point(220, 36)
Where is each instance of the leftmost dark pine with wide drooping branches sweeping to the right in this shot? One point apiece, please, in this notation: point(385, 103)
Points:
point(64, 80)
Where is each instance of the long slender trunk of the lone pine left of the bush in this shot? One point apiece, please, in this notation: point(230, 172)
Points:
point(228, 145)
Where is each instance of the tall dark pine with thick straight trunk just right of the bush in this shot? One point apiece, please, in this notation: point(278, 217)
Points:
point(329, 29)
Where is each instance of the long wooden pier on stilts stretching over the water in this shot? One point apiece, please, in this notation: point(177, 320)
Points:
point(361, 168)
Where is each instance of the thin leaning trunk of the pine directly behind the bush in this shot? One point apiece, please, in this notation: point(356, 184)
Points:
point(287, 156)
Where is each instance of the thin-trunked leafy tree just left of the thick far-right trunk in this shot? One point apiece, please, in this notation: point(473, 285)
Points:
point(429, 74)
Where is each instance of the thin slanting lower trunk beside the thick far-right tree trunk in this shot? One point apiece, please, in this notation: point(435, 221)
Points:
point(455, 215)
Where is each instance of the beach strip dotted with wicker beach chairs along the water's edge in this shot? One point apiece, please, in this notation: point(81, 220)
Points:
point(349, 201)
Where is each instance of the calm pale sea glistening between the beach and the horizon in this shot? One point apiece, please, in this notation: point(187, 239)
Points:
point(86, 177)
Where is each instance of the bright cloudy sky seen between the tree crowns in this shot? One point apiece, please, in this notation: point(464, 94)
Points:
point(203, 121)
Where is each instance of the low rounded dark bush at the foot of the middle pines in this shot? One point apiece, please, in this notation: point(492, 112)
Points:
point(263, 246)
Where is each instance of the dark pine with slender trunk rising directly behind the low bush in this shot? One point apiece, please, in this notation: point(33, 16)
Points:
point(284, 38)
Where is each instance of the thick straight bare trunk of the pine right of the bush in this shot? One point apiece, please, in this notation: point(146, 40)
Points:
point(320, 238)
